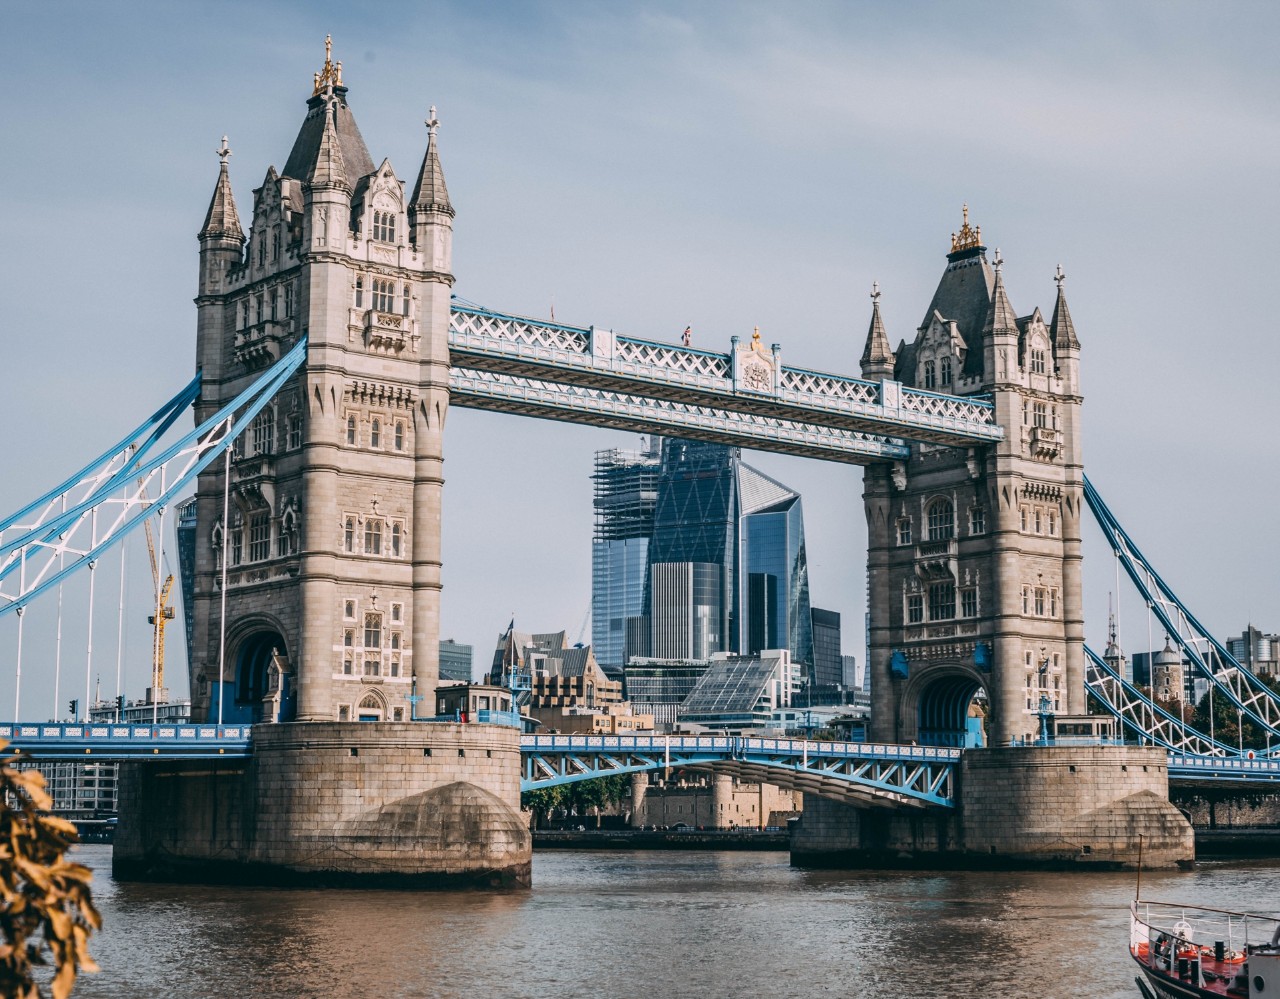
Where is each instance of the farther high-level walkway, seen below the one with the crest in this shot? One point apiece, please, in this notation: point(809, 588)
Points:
point(500, 393)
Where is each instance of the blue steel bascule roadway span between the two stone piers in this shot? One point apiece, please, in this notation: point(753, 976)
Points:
point(863, 773)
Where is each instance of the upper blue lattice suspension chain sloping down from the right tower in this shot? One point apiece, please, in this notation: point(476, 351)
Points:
point(1205, 653)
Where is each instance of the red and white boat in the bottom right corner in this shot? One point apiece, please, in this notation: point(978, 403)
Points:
point(1194, 952)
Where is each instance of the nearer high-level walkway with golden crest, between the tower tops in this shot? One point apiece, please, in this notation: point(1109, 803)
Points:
point(547, 352)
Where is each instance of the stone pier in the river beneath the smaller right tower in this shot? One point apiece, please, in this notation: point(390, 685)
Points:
point(1018, 809)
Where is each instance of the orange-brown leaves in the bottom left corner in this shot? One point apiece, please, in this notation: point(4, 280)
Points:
point(45, 901)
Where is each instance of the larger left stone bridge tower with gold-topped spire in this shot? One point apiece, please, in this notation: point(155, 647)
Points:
point(333, 536)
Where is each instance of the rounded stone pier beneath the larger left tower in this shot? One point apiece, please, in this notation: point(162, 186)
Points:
point(399, 805)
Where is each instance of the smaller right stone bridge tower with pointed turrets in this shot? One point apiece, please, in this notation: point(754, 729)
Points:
point(975, 554)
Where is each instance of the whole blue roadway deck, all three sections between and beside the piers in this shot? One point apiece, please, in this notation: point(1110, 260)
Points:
point(865, 773)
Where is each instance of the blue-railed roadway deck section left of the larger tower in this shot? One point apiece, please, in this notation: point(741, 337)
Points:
point(108, 742)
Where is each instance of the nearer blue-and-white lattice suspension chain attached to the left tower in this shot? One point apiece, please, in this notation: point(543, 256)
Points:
point(48, 554)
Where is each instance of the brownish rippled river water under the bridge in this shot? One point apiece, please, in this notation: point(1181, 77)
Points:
point(651, 924)
